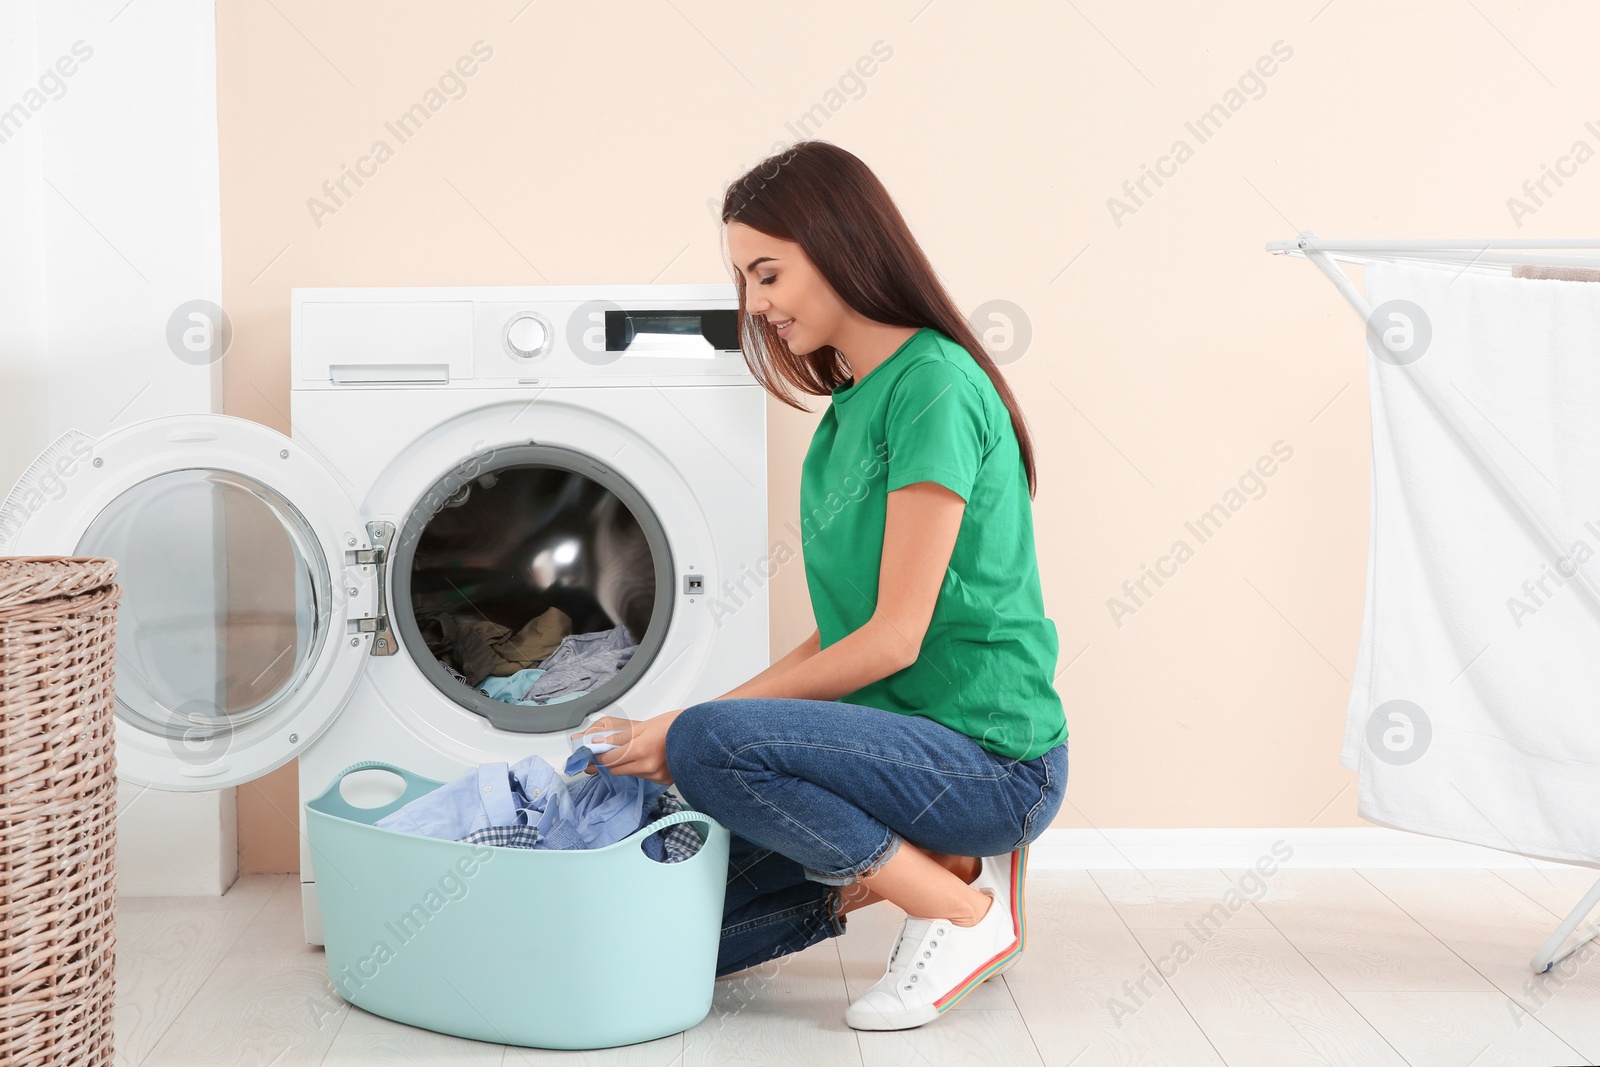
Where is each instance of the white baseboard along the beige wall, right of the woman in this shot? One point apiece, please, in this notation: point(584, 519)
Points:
point(1242, 847)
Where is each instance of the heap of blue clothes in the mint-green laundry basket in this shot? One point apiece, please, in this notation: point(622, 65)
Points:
point(530, 796)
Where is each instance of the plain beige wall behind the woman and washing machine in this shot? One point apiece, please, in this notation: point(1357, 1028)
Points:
point(1169, 351)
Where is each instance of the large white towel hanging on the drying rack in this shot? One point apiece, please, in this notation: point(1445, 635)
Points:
point(1471, 615)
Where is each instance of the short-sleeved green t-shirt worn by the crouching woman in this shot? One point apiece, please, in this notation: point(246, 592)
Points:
point(988, 663)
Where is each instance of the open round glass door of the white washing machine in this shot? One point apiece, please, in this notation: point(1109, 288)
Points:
point(241, 561)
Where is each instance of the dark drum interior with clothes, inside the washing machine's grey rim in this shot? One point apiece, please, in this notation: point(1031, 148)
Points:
point(534, 585)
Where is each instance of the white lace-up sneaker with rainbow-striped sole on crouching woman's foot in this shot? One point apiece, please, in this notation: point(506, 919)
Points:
point(934, 965)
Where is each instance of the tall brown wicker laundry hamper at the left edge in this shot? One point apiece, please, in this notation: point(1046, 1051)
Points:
point(58, 810)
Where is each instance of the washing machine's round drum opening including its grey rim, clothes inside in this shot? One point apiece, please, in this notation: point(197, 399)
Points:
point(532, 586)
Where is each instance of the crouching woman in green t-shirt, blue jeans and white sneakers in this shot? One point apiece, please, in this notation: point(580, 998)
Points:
point(914, 745)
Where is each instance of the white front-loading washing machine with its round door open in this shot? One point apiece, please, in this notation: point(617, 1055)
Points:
point(463, 465)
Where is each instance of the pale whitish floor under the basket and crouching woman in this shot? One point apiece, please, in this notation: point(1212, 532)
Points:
point(1329, 967)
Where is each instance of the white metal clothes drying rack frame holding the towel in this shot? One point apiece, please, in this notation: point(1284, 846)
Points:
point(1471, 254)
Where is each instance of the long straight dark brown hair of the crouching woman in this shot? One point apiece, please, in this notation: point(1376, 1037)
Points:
point(833, 206)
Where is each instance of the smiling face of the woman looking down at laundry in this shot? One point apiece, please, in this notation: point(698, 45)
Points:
point(786, 289)
